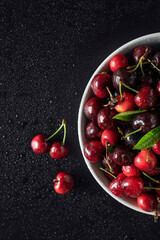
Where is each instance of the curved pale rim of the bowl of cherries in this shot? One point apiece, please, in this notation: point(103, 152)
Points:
point(129, 45)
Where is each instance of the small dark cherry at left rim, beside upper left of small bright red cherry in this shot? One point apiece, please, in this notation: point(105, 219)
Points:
point(93, 131)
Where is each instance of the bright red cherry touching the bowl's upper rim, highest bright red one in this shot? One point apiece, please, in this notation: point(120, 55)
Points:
point(118, 61)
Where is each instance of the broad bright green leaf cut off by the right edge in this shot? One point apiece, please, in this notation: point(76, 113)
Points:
point(149, 139)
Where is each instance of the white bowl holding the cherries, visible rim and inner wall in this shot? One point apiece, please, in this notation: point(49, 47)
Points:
point(151, 40)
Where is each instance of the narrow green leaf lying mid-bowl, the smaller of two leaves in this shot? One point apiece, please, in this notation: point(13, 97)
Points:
point(128, 116)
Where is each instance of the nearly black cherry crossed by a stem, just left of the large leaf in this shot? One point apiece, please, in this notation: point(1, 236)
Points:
point(132, 139)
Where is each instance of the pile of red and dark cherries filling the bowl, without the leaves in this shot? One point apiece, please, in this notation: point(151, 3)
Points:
point(129, 85)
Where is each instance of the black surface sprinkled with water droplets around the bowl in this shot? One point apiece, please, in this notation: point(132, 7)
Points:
point(48, 51)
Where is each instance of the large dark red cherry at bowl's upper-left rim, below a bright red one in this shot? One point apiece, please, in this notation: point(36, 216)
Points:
point(99, 84)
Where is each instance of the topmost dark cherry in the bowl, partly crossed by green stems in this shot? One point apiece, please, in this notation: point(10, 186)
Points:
point(139, 52)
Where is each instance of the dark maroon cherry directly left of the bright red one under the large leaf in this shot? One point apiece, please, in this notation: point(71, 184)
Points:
point(122, 155)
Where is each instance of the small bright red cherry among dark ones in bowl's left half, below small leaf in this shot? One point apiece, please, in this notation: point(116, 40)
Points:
point(110, 137)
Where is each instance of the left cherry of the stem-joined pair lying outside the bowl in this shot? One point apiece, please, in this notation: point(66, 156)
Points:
point(39, 145)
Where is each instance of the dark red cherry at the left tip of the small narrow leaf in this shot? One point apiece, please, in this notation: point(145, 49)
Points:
point(104, 118)
